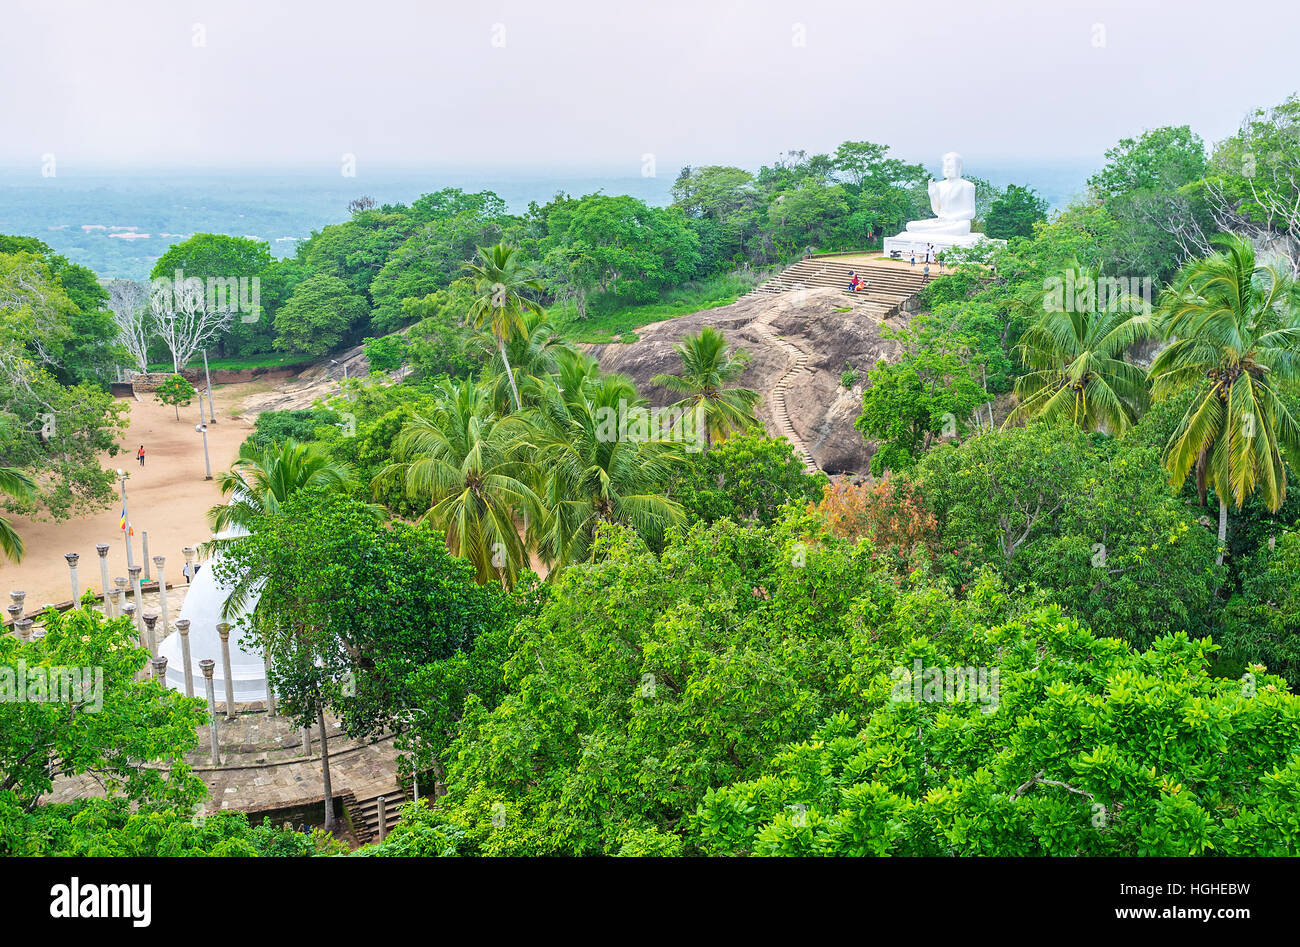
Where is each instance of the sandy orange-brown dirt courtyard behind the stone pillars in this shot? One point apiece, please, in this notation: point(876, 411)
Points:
point(168, 499)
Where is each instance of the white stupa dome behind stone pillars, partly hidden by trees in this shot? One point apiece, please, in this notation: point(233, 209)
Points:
point(203, 604)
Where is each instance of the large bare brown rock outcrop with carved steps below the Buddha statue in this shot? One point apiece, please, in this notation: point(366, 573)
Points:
point(799, 344)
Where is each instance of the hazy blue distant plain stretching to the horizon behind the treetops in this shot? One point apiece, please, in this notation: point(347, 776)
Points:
point(119, 223)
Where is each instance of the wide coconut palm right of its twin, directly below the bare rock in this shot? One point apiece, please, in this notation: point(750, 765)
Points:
point(592, 470)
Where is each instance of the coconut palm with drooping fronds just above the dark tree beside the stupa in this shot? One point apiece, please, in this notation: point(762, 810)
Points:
point(469, 461)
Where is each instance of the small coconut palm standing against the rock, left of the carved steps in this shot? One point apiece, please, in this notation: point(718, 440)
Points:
point(709, 366)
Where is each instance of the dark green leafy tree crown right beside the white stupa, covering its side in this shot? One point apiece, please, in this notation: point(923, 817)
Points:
point(375, 621)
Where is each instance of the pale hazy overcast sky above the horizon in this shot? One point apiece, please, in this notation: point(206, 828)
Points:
point(595, 84)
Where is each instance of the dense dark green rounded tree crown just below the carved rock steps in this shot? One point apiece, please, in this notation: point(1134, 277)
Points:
point(748, 478)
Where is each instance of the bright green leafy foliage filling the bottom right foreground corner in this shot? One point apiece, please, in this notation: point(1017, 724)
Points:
point(1089, 747)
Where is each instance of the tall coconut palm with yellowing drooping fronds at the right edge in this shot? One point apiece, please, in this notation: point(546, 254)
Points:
point(1234, 326)
